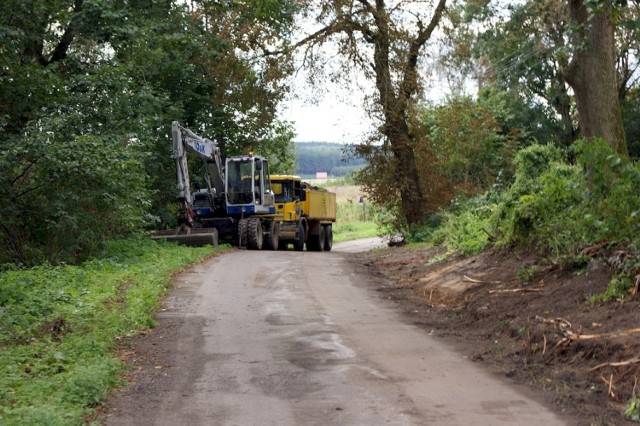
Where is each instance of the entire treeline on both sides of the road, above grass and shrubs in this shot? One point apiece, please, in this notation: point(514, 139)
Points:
point(88, 89)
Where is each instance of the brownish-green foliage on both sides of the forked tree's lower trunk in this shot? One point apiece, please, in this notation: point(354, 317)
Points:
point(462, 150)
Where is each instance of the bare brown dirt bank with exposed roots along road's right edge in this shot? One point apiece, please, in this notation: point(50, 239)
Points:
point(524, 318)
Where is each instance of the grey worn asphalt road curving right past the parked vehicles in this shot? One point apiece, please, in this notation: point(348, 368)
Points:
point(298, 338)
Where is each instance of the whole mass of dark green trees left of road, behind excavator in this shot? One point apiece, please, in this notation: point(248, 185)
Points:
point(88, 90)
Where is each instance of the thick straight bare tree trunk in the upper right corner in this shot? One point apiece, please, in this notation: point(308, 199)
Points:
point(592, 75)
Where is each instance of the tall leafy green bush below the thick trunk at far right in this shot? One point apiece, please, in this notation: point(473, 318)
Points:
point(560, 208)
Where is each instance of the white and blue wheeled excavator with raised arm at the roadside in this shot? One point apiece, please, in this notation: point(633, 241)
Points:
point(236, 205)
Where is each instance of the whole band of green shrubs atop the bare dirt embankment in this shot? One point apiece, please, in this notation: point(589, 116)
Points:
point(557, 207)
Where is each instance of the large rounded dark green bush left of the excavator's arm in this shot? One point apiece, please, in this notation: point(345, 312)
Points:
point(76, 178)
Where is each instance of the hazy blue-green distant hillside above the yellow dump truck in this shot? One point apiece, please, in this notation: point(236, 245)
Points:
point(333, 158)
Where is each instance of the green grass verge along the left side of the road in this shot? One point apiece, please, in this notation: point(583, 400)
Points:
point(59, 327)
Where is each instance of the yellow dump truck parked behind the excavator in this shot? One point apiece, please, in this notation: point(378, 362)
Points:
point(307, 214)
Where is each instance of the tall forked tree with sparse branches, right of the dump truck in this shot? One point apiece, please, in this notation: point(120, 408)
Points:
point(385, 40)
